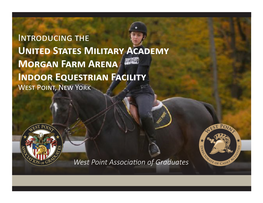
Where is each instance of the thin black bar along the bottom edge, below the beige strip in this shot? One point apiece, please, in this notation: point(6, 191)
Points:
point(131, 188)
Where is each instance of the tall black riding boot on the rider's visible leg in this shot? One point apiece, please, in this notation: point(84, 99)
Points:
point(148, 127)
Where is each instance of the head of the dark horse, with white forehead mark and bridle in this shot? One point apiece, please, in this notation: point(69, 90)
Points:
point(64, 111)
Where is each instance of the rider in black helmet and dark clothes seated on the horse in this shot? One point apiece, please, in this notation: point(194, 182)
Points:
point(138, 64)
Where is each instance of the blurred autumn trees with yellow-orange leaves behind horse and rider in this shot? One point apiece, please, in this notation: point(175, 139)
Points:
point(185, 72)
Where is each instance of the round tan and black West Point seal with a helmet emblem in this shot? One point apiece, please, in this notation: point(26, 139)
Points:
point(220, 144)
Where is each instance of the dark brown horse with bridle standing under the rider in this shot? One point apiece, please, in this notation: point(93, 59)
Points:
point(112, 135)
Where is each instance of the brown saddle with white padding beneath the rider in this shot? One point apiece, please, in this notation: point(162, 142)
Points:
point(132, 108)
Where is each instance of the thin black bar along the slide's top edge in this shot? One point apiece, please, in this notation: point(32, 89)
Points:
point(131, 14)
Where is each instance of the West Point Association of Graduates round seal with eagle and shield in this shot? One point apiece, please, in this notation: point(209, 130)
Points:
point(41, 144)
